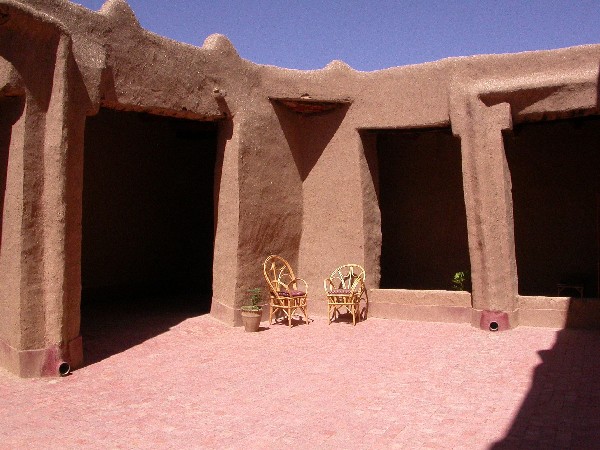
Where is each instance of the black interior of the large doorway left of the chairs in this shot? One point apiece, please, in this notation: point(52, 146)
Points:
point(148, 219)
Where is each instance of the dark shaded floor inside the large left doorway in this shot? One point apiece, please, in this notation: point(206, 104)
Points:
point(111, 325)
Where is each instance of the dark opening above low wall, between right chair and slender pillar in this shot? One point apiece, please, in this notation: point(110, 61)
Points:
point(423, 219)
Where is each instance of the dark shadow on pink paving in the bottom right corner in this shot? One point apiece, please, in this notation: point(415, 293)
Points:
point(562, 407)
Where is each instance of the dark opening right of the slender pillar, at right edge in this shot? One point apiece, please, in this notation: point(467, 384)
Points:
point(555, 171)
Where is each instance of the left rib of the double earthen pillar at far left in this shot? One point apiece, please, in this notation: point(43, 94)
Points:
point(21, 253)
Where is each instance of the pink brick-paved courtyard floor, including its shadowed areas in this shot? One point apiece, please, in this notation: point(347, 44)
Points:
point(195, 383)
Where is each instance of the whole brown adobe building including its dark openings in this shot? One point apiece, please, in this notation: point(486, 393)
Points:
point(133, 162)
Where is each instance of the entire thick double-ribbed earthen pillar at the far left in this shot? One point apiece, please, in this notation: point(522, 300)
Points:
point(40, 247)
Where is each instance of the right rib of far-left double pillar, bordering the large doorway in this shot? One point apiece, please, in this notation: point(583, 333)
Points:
point(61, 206)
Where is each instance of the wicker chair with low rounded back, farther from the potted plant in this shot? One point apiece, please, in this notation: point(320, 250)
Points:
point(345, 288)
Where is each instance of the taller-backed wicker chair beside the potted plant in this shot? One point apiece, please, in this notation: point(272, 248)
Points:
point(287, 293)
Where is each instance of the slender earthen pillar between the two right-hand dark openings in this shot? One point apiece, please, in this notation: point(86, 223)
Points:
point(488, 202)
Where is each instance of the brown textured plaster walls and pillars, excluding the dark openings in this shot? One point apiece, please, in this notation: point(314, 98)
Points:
point(301, 185)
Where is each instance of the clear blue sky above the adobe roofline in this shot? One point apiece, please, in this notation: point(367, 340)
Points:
point(371, 35)
